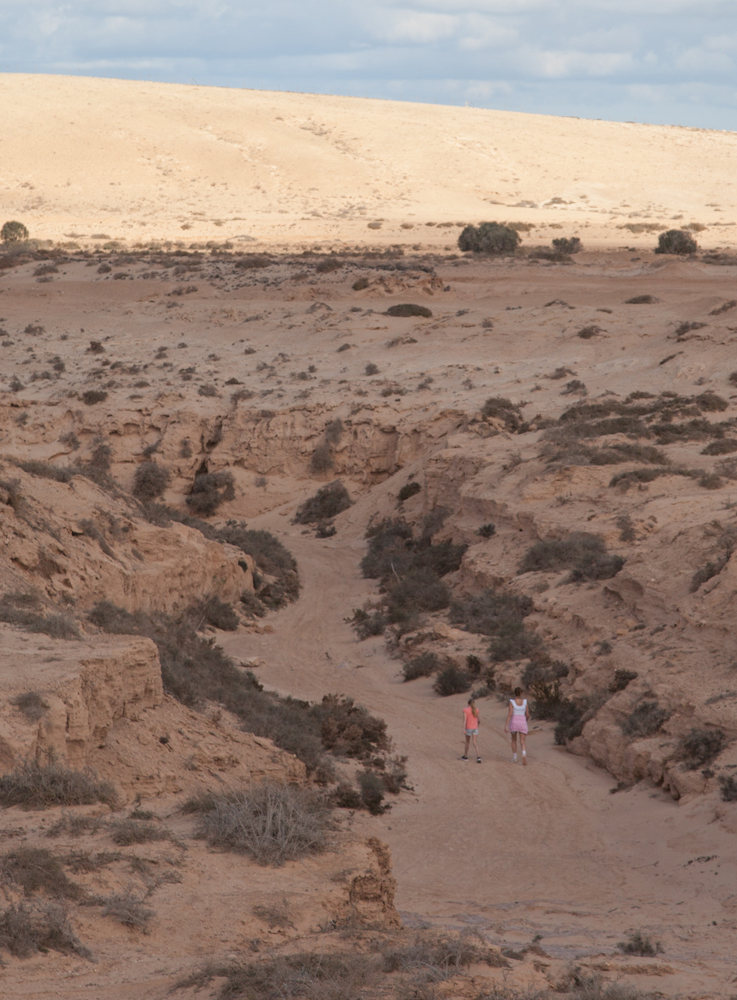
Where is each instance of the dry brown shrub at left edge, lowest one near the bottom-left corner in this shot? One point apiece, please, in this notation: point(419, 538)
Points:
point(27, 928)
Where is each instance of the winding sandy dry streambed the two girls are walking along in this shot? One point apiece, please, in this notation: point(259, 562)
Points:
point(546, 849)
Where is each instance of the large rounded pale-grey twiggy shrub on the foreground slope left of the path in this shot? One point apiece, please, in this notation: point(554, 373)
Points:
point(272, 823)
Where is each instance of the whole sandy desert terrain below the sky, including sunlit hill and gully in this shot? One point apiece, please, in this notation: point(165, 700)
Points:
point(204, 304)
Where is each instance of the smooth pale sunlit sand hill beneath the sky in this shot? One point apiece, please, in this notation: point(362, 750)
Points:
point(87, 158)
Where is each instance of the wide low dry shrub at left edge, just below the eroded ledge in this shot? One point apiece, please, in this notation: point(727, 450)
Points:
point(35, 786)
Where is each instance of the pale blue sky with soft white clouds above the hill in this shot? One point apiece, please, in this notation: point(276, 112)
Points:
point(660, 61)
